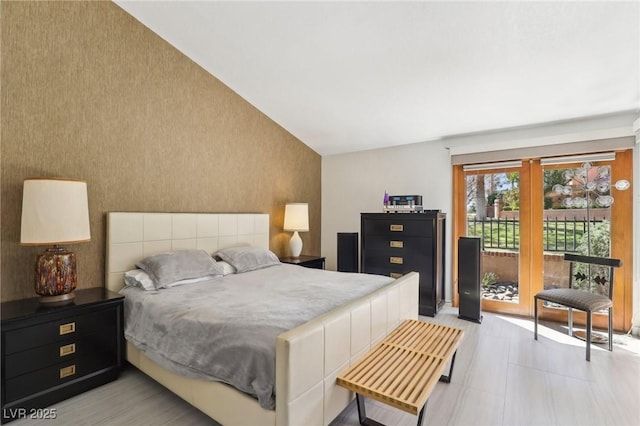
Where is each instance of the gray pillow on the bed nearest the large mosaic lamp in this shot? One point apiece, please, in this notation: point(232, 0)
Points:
point(168, 267)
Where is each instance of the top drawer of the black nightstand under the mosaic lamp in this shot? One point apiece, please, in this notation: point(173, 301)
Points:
point(21, 339)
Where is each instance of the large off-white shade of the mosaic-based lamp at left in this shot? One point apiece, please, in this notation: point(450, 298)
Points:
point(54, 211)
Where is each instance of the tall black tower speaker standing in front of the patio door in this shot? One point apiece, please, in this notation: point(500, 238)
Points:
point(469, 296)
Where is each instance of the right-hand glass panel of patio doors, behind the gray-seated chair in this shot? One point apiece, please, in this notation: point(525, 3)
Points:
point(579, 218)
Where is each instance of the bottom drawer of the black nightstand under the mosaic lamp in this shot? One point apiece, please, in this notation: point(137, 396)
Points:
point(46, 378)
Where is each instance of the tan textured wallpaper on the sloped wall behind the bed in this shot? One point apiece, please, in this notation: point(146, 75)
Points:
point(89, 93)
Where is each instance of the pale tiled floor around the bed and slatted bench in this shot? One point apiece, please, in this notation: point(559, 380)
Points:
point(501, 377)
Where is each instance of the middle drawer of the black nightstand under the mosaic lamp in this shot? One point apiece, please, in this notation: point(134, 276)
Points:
point(41, 357)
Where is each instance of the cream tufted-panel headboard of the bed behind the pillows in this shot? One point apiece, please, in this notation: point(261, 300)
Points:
point(134, 236)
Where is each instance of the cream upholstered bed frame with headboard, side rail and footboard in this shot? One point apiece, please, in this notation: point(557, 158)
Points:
point(308, 358)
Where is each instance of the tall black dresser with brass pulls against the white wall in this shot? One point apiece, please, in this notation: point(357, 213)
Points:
point(397, 243)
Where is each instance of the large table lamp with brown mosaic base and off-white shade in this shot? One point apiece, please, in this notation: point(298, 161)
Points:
point(55, 212)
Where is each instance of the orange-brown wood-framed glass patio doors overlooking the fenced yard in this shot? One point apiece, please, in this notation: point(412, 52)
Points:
point(529, 213)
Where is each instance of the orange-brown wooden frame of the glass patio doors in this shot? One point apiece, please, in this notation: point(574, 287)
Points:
point(531, 242)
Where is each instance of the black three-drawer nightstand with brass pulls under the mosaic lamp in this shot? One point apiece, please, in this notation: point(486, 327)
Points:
point(53, 353)
